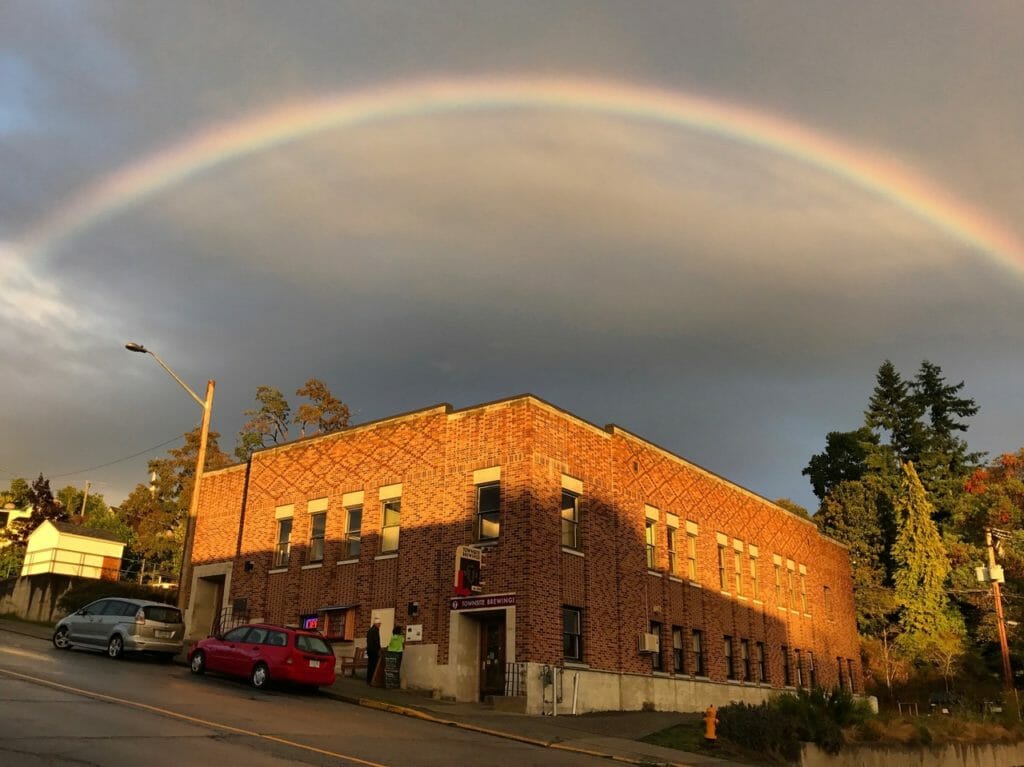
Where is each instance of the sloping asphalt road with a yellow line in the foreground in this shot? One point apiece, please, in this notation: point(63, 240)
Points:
point(81, 709)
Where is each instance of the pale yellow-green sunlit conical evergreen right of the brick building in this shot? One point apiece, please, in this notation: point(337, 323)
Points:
point(921, 571)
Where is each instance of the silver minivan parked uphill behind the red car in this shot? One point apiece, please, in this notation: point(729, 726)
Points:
point(119, 625)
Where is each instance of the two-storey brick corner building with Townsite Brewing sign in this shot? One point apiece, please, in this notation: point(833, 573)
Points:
point(642, 578)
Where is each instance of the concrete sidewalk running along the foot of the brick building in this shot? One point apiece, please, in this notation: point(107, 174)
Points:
point(588, 734)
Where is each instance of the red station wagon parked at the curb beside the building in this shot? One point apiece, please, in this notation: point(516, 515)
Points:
point(263, 653)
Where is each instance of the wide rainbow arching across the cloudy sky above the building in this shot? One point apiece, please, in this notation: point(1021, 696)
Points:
point(146, 179)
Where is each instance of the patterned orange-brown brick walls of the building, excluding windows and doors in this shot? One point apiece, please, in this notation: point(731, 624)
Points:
point(434, 454)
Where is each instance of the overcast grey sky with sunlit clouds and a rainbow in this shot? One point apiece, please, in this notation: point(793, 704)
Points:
point(706, 223)
